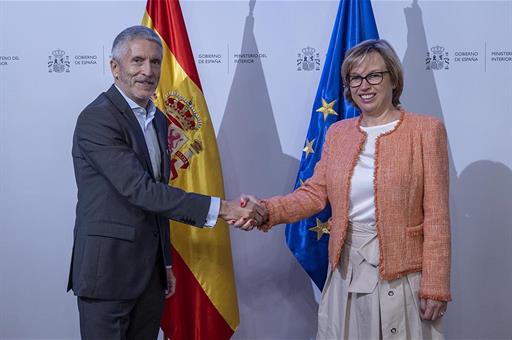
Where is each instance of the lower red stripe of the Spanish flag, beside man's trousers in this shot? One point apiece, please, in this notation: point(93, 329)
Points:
point(189, 313)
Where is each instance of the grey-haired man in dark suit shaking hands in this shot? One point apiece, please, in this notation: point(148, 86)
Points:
point(121, 266)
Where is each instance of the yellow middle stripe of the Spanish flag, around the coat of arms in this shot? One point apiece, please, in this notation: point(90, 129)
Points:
point(207, 252)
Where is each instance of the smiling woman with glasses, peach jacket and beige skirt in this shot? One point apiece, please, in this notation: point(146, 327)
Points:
point(385, 175)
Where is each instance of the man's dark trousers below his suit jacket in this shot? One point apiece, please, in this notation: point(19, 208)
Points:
point(137, 319)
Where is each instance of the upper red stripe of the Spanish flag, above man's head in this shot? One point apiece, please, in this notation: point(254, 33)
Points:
point(168, 22)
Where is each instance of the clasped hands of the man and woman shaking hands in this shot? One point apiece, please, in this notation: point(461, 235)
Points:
point(245, 214)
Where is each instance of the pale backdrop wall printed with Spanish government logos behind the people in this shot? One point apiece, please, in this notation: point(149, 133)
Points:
point(260, 110)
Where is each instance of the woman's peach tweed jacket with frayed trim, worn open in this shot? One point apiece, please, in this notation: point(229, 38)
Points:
point(411, 198)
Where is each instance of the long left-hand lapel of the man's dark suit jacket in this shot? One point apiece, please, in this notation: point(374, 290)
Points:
point(120, 103)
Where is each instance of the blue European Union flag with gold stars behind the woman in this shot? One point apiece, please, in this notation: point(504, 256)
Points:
point(306, 239)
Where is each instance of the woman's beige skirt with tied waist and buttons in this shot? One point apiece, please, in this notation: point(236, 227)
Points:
point(356, 304)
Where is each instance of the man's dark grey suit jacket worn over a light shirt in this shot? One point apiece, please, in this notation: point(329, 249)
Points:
point(121, 229)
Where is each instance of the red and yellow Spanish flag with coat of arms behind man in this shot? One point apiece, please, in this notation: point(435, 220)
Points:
point(205, 305)
